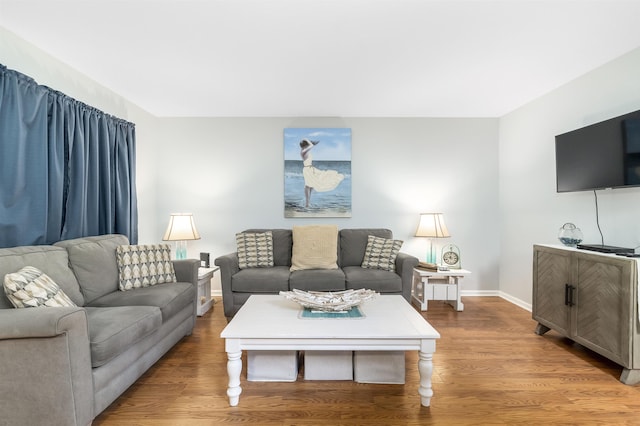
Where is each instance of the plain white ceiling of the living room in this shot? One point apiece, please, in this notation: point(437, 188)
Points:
point(349, 58)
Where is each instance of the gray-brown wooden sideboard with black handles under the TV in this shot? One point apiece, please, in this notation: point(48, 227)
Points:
point(591, 298)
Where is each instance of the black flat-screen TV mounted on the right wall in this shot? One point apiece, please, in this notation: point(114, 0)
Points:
point(599, 156)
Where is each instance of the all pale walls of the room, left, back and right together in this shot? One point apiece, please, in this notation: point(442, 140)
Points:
point(498, 197)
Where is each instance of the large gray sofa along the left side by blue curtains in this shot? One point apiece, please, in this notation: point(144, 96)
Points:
point(65, 365)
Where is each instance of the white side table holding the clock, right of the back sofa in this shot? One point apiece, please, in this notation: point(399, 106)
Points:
point(437, 285)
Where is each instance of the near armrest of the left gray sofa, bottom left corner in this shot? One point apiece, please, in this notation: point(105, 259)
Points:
point(46, 366)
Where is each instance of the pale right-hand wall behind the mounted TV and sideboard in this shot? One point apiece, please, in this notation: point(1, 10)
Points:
point(531, 209)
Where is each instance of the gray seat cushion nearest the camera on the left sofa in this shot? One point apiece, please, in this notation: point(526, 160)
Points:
point(113, 330)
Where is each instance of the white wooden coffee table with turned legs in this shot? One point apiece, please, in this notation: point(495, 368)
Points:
point(271, 322)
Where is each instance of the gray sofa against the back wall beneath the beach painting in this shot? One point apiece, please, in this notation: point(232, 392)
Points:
point(238, 284)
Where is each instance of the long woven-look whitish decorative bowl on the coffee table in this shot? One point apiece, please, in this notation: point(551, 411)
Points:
point(329, 301)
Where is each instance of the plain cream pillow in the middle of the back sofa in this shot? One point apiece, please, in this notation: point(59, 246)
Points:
point(314, 247)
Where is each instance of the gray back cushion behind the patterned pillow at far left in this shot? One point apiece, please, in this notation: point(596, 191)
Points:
point(53, 261)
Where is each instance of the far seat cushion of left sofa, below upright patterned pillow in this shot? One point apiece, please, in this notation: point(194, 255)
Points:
point(169, 297)
